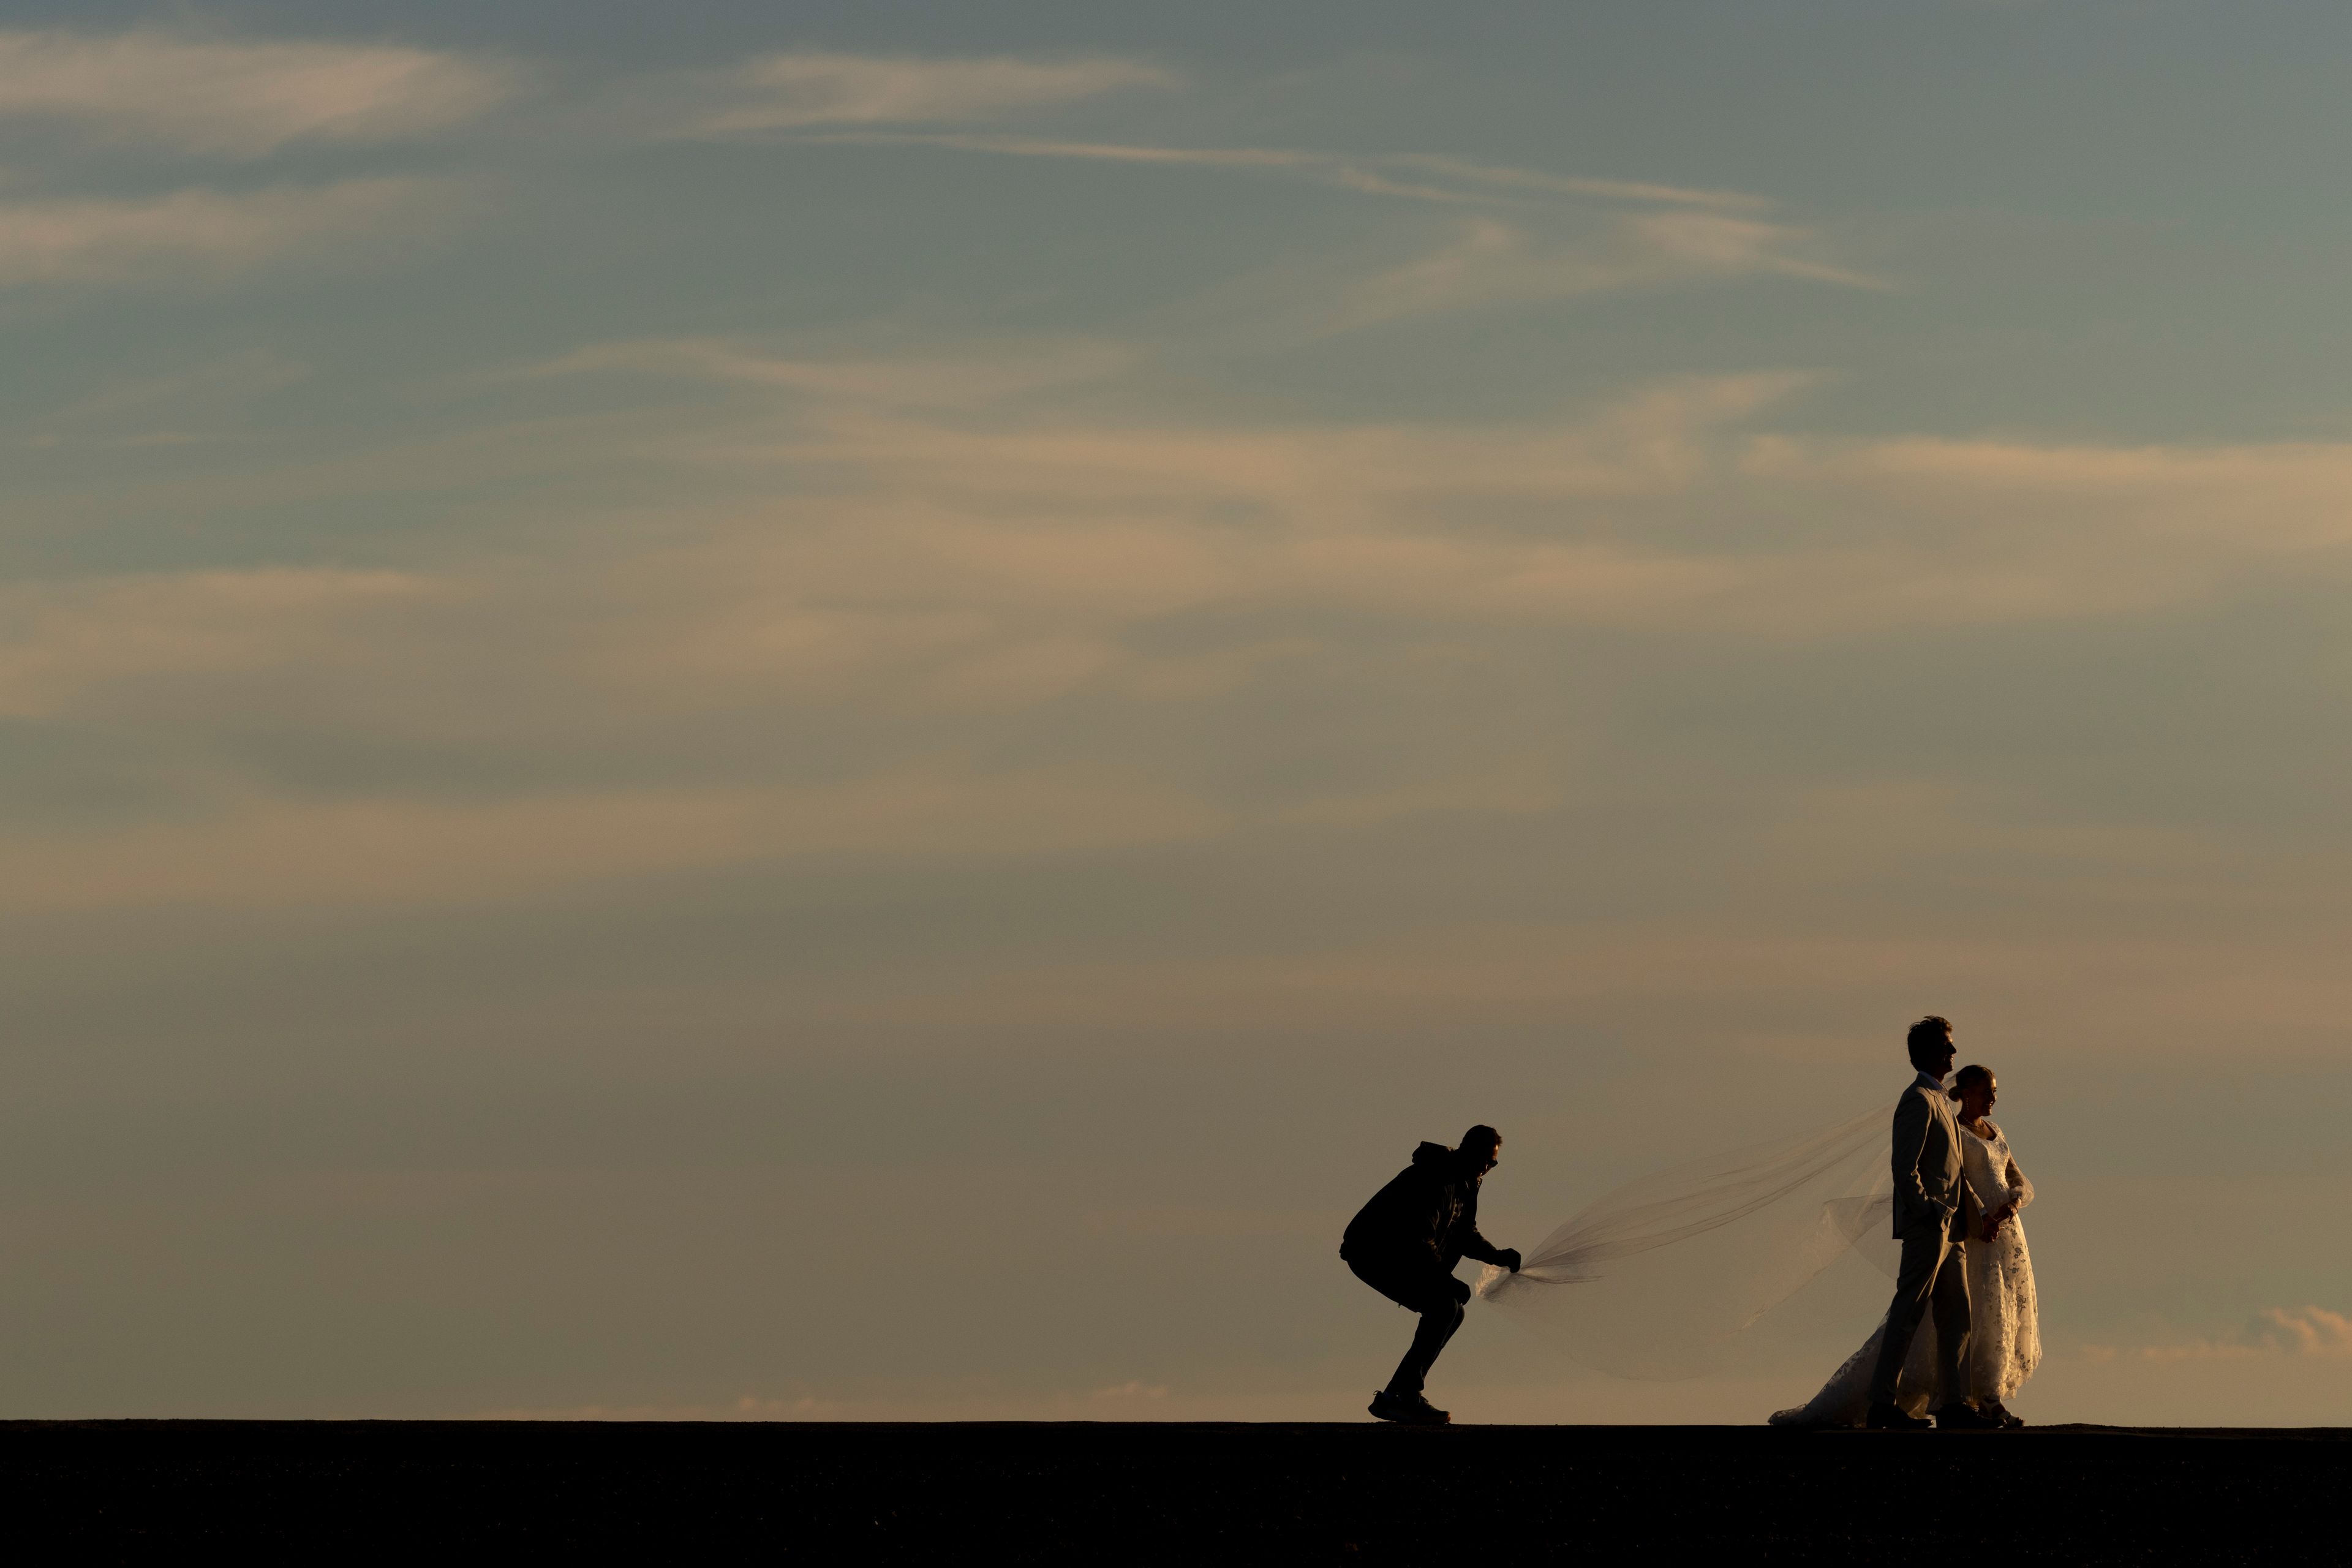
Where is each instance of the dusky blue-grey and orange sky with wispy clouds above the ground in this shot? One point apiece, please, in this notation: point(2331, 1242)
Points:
point(773, 711)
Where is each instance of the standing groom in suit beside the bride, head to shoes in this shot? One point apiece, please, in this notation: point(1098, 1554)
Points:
point(1932, 1228)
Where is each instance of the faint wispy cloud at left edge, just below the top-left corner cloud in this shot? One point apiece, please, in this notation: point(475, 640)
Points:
point(203, 234)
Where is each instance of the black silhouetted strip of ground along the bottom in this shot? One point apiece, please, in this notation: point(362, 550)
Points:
point(1121, 1494)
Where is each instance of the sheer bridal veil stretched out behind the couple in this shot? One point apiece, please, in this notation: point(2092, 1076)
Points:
point(1662, 1275)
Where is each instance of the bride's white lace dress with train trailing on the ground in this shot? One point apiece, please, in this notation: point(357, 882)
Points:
point(2005, 1320)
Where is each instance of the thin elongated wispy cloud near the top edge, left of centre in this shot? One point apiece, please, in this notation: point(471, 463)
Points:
point(813, 88)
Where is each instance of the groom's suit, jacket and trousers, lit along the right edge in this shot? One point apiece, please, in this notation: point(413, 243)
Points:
point(1932, 1226)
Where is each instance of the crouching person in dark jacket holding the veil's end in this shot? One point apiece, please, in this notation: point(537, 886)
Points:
point(1405, 1245)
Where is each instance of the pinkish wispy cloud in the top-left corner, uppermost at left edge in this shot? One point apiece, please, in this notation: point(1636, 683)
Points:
point(241, 98)
